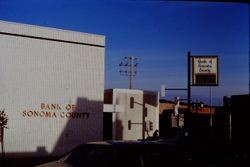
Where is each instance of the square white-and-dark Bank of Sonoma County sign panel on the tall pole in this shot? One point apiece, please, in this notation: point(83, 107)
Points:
point(205, 70)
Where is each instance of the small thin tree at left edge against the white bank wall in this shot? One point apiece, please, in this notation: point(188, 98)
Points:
point(3, 125)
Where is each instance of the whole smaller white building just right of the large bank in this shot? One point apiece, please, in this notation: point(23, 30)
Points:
point(130, 114)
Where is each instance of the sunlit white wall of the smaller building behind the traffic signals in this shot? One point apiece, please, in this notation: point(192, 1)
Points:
point(121, 98)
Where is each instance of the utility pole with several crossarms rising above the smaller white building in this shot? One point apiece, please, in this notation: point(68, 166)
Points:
point(128, 68)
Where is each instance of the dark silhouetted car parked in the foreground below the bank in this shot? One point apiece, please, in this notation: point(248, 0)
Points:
point(124, 154)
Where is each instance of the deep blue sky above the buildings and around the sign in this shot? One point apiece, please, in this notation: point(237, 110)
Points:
point(158, 33)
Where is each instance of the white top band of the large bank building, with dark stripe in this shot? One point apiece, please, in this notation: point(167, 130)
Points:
point(54, 34)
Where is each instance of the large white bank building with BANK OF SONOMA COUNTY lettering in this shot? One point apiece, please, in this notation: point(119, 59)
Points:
point(51, 88)
